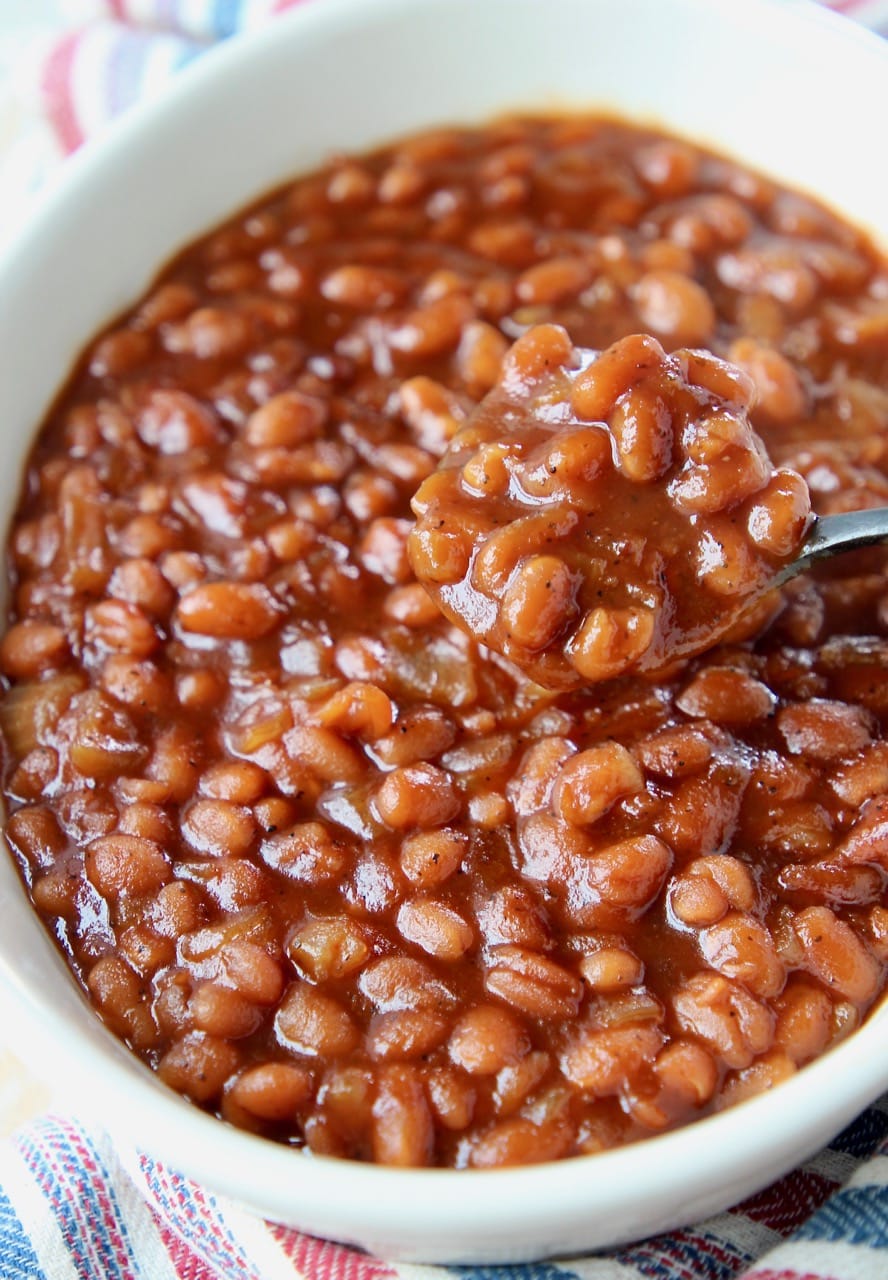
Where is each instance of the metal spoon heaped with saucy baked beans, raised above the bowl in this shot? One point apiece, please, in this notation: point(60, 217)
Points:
point(612, 513)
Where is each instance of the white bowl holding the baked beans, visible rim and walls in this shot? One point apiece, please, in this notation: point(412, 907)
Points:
point(782, 86)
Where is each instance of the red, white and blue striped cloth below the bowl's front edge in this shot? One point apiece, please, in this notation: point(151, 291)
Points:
point(70, 1210)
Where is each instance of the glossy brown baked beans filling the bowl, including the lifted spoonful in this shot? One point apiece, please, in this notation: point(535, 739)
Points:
point(341, 872)
